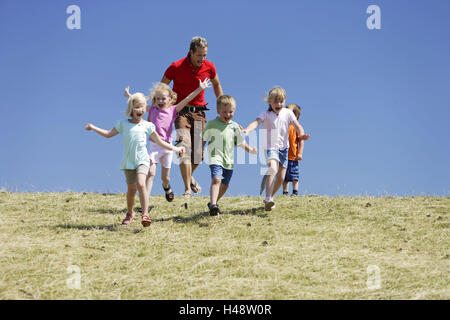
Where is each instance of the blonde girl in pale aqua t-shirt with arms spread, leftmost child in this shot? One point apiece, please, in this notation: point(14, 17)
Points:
point(135, 163)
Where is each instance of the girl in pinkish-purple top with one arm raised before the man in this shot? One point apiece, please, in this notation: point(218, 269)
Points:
point(162, 114)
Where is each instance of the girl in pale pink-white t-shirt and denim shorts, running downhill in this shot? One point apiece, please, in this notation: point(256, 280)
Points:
point(276, 121)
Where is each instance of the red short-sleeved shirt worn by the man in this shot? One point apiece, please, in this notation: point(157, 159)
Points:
point(185, 78)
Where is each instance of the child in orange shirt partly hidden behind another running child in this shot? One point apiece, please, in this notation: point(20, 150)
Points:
point(295, 154)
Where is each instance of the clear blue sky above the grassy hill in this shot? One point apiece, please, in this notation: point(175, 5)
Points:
point(375, 102)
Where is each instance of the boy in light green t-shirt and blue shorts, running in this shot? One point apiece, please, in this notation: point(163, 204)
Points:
point(222, 135)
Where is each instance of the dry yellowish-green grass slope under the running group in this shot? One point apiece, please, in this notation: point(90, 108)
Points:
point(309, 247)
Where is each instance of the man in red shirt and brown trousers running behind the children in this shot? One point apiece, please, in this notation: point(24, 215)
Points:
point(191, 120)
